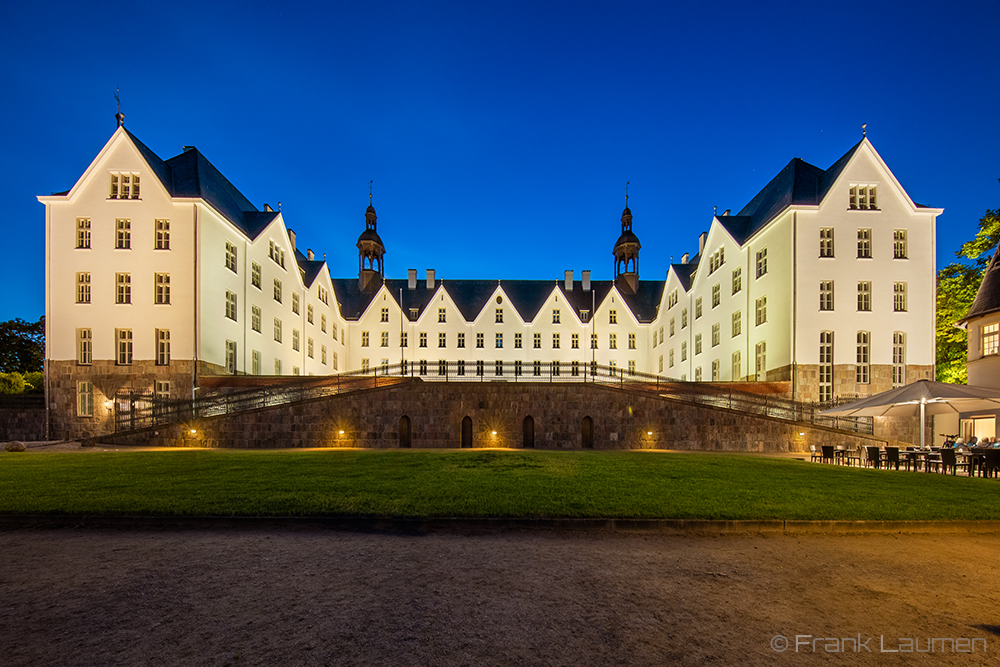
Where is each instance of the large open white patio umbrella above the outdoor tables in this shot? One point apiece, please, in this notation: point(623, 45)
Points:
point(922, 398)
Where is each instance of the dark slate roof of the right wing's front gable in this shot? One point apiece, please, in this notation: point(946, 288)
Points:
point(799, 183)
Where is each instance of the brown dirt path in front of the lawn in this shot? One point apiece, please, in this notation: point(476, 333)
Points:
point(316, 597)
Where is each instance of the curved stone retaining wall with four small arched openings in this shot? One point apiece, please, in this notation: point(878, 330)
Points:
point(498, 411)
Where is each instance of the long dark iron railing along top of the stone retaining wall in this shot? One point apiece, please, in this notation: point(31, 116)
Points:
point(136, 410)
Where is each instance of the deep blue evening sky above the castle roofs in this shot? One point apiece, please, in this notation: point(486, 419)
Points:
point(499, 135)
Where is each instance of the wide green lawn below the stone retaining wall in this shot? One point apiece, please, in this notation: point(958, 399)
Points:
point(648, 485)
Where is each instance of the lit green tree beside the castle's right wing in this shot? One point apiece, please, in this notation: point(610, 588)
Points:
point(957, 286)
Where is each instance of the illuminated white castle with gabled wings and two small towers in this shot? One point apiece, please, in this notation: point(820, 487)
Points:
point(161, 273)
